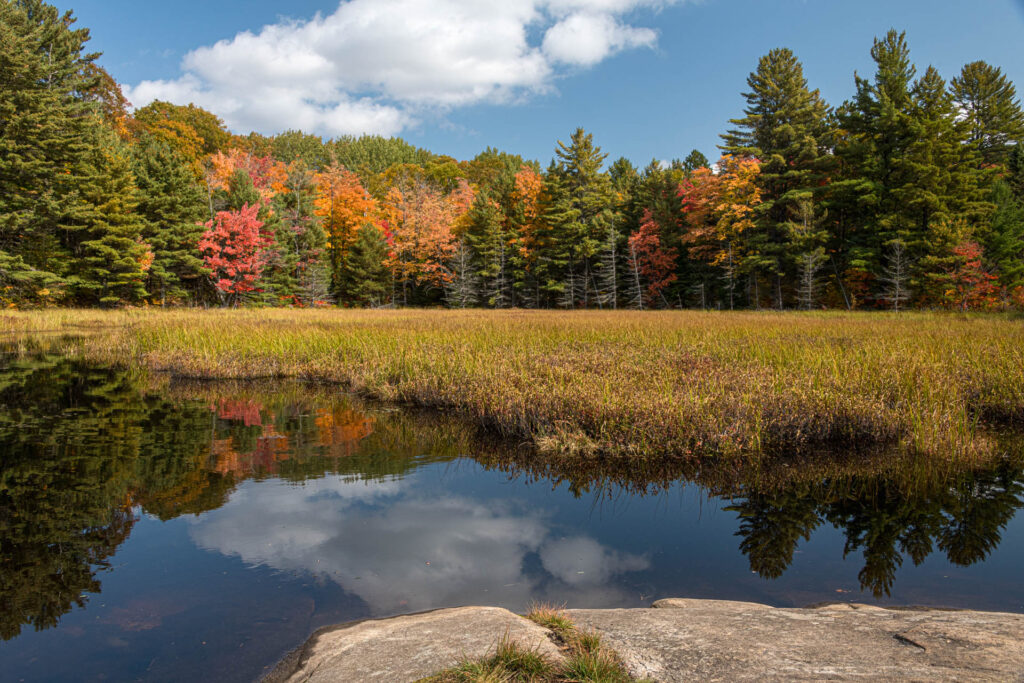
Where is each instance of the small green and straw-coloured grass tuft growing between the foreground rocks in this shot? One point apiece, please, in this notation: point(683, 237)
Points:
point(586, 659)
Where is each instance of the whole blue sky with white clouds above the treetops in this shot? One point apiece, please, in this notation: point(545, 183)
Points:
point(650, 78)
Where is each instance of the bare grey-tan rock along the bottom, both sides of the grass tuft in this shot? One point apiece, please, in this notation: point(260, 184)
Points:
point(685, 641)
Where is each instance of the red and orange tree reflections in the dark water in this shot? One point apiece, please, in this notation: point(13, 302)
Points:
point(338, 433)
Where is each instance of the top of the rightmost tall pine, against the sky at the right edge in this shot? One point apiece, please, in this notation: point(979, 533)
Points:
point(989, 102)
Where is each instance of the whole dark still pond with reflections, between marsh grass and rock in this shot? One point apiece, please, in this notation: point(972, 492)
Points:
point(168, 532)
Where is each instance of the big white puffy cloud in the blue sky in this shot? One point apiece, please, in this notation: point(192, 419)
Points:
point(374, 66)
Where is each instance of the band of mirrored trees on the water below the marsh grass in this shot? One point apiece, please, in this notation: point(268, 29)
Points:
point(84, 451)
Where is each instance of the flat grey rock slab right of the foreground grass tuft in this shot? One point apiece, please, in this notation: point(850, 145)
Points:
point(712, 641)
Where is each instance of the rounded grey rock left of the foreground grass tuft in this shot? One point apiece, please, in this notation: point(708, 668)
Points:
point(408, 649)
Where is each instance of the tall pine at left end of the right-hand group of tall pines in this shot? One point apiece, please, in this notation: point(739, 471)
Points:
point(786, 126)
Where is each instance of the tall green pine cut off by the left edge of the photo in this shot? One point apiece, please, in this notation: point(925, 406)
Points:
point(46, 119)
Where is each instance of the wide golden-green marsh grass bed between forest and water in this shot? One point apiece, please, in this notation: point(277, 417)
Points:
point(620, 385)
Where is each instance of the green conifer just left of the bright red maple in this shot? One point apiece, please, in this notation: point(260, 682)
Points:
point(173, 204)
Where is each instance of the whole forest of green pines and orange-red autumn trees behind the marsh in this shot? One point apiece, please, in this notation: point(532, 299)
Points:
point(909, 195)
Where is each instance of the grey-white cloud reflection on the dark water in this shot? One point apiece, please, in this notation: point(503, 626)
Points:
point(402, 551)
